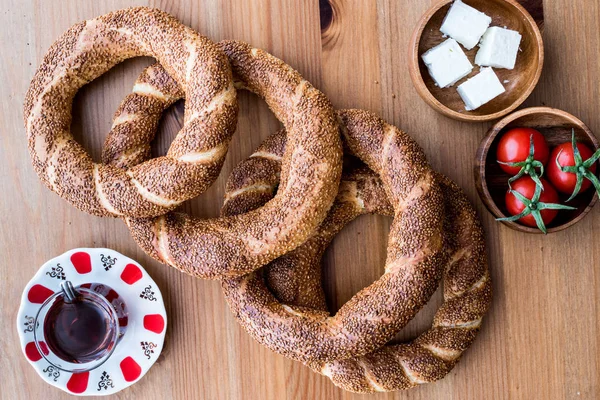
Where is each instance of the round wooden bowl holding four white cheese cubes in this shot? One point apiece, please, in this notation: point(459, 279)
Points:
point(521, 80)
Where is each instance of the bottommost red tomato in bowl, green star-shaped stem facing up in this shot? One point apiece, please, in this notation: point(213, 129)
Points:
point(526, 186)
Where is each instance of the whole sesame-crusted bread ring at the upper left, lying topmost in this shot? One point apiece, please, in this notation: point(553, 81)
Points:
point(86, 51)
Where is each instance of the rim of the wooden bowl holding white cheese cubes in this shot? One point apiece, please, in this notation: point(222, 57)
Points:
point(419, 83)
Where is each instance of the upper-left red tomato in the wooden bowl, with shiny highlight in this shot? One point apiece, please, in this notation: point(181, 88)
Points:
point(514, 147)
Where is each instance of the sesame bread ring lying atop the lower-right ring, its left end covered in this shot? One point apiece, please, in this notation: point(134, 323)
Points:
point(414, 264)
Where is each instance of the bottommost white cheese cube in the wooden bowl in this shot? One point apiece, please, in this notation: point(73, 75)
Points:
point(481, 89)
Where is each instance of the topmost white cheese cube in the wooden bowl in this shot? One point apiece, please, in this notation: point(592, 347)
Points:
point(465, 24)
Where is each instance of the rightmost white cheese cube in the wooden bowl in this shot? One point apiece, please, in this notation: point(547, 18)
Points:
point(499, 48)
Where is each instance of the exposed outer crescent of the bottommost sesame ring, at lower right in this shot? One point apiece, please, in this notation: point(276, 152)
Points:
point(435, 352)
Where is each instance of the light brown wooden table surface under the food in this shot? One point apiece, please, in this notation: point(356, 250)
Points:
point(540, 339)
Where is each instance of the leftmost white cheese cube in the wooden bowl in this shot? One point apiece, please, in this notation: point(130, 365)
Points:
point(447, 63)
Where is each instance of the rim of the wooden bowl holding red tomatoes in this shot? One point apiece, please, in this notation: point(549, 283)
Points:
point(482, 153)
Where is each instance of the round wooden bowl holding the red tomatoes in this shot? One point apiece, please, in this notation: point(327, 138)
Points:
point(492, 182)
